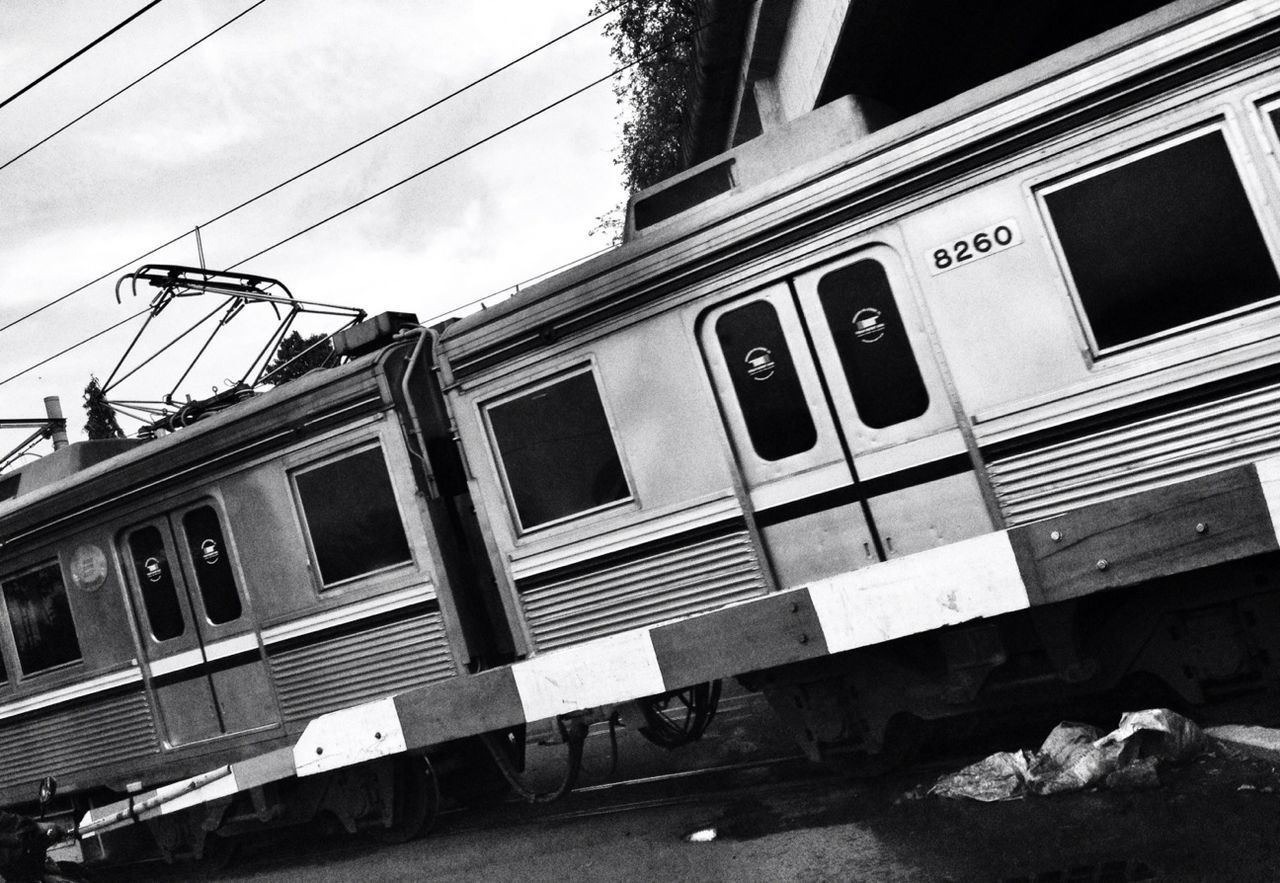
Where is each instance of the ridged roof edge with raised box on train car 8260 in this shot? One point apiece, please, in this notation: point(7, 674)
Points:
point(781, 193)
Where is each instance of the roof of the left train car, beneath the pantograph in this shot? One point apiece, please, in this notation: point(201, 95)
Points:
point(249, 428)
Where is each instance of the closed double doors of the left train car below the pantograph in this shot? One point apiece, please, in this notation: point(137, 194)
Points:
point(200, 643)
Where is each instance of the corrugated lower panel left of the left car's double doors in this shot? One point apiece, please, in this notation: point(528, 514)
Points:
point(89, 735)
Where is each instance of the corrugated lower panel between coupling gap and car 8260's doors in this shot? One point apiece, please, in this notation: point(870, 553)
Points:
point(693, 579)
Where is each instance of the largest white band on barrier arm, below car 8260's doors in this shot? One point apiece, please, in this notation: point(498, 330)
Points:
point(944, 587)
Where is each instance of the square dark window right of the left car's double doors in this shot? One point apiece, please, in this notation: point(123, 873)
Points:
point(353, 518)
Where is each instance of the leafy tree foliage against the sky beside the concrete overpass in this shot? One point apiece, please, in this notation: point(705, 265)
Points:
point(659, 35)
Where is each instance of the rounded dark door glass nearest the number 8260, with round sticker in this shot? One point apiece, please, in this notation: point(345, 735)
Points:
point(874, 347)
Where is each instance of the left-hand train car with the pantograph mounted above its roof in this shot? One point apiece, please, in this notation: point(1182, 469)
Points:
point(199, 598)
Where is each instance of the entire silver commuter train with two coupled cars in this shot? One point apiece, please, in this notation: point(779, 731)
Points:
point(971, 413)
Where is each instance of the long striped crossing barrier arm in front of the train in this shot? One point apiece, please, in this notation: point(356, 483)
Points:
point(985, 577)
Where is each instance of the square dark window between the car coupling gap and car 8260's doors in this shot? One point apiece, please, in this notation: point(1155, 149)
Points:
point(559, 451)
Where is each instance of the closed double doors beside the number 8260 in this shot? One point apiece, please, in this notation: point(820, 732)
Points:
point(847, 440)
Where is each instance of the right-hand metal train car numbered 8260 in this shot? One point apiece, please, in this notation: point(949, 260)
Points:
point(1052, 292)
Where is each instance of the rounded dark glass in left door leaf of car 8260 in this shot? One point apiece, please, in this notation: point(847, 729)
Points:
point(766, 382)
